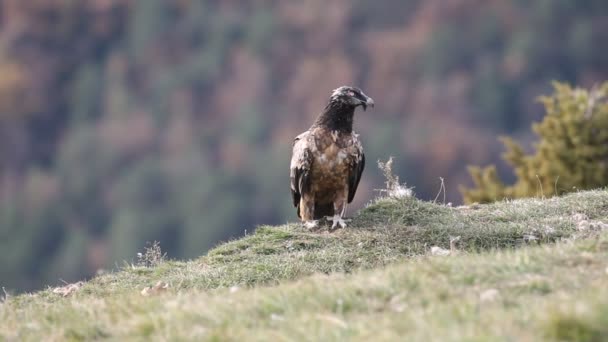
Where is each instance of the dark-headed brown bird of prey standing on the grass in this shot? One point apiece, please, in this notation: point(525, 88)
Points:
point(328, 160)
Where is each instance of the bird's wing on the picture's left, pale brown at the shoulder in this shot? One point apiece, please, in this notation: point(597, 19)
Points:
point(301, 162)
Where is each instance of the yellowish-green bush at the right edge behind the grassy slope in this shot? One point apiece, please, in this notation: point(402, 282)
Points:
point(571, 153)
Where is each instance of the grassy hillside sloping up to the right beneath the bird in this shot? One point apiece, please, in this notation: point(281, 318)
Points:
point(405, 268)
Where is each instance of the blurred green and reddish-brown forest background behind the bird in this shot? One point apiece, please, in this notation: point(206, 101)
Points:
point(125, 121)
